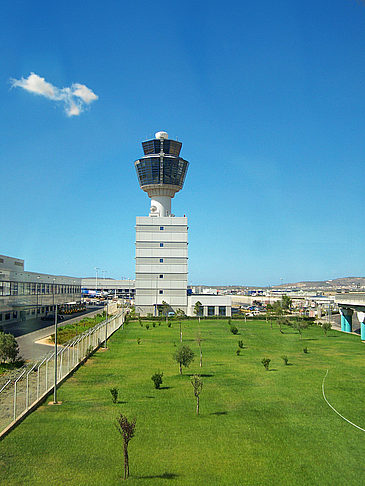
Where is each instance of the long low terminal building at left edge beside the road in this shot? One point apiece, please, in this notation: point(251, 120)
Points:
point(28, 295)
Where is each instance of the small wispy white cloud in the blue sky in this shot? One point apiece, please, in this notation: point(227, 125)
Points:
point(74, 98)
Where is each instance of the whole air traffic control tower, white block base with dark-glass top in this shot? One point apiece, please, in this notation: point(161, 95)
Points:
point(161, 237)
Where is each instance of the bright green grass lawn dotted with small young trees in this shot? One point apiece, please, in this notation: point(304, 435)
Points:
point(256, 427)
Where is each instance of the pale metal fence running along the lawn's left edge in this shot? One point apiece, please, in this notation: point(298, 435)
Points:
point(23, 391)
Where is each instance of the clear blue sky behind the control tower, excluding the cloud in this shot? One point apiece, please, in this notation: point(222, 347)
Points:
point(267, 97)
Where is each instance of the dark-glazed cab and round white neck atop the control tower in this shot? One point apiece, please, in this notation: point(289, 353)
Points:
point(161, 172)
